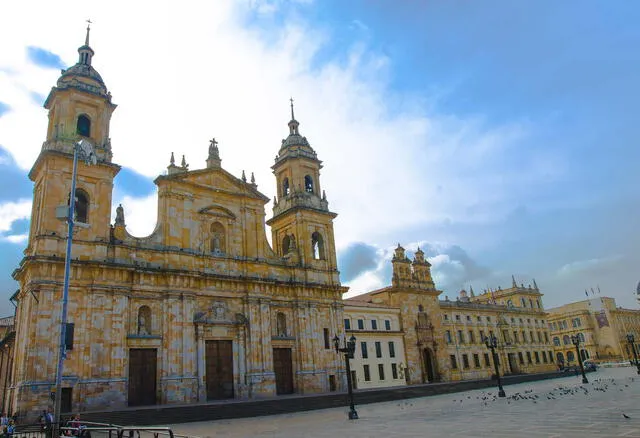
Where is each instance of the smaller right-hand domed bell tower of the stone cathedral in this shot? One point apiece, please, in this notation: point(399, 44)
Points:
point(302, 225)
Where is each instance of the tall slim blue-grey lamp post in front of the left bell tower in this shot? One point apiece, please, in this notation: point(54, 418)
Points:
point(83, 150)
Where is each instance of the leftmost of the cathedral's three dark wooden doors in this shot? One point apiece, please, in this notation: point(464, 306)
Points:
point(142, 376)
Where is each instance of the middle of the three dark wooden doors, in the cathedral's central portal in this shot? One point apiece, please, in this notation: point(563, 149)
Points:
point(219, 365)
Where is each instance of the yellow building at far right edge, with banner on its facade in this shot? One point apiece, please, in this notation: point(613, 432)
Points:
point(601, 326)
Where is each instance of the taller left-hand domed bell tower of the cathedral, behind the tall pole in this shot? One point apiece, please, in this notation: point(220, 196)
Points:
point(80, 108)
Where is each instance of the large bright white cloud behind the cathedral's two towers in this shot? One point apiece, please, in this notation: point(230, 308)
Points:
point(183, 73)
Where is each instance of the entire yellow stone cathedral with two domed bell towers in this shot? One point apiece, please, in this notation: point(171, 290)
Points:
point(203, 308)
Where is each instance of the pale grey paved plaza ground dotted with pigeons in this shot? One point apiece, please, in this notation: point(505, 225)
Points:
point(561, 407)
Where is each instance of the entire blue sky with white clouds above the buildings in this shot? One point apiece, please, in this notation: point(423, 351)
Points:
point(500, 137)
